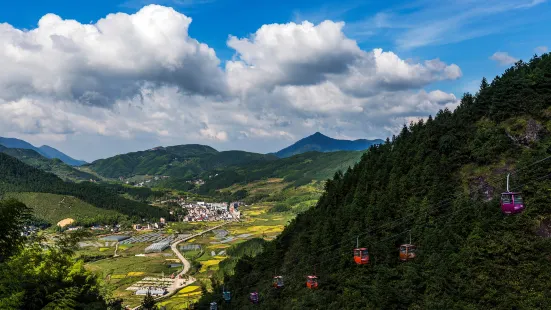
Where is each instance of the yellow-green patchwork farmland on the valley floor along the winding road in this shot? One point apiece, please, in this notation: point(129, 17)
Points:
point(274, 204)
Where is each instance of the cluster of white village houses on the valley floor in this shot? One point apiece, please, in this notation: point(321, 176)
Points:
point(210, 211)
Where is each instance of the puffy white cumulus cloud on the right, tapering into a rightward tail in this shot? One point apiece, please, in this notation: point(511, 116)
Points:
point(306, 54)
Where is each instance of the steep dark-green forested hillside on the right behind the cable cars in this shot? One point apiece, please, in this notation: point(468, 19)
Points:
point(439, 179)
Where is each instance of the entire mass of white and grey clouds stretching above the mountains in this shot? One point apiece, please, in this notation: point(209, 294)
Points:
point(141, 77)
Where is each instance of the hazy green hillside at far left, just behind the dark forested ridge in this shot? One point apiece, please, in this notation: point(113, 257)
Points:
point(55, 166)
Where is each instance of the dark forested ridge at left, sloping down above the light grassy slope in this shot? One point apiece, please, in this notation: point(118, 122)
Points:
point(16, 176)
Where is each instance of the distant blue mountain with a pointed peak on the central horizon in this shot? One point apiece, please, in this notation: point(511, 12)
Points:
point(322, 143)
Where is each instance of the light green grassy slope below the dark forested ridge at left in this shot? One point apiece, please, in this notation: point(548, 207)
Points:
point(53, 208)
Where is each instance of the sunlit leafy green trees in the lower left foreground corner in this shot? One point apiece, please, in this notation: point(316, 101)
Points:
point(36, 275)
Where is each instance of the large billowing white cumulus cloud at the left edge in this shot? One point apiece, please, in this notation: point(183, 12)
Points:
point(96, 64)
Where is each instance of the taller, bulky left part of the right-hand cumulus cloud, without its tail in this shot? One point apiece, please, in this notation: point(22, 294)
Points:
point(290, 54)
